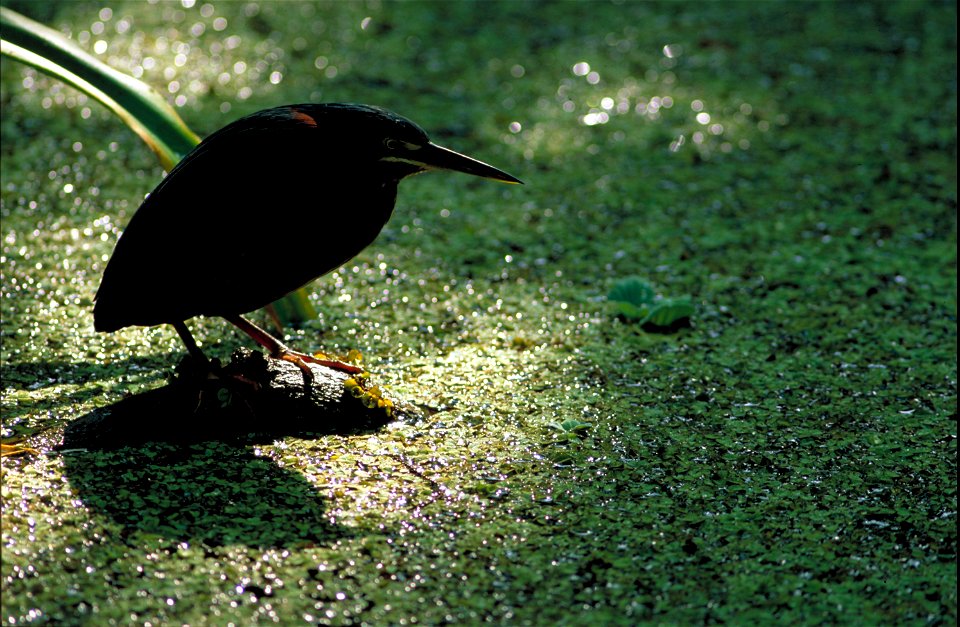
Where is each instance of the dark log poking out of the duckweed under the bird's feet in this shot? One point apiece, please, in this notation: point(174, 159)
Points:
point(253, 398)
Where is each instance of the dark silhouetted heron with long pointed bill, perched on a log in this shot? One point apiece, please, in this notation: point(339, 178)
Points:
point(259, 209)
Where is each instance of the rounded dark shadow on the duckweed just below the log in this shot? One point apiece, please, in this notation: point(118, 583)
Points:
point(210, 494)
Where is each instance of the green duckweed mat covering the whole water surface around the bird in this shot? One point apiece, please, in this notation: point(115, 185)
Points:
point(782, 174)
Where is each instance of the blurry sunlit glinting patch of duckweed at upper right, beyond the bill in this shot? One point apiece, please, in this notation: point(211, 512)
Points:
point(601, 92)
